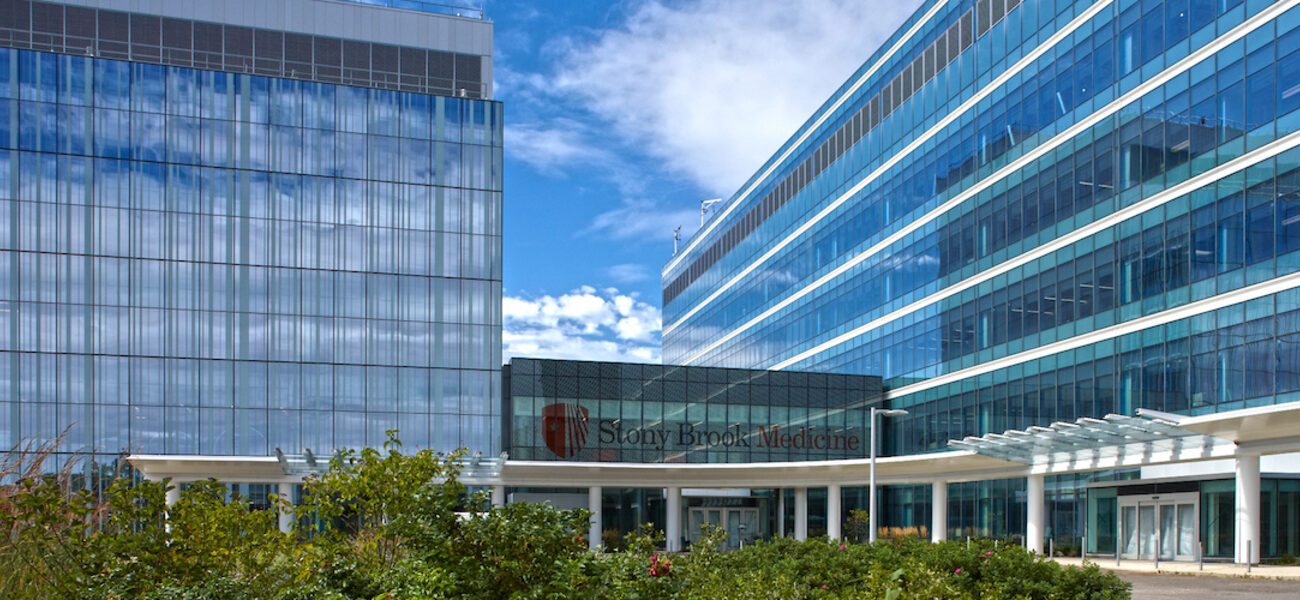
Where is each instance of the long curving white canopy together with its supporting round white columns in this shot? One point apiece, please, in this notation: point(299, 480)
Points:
point(1087, 445)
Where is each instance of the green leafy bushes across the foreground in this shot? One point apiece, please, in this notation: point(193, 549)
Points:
point(385, 525)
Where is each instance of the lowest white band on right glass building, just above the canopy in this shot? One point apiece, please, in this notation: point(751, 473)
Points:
point(1191, 310)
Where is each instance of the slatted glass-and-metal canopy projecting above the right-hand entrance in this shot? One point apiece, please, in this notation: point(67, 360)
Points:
point(1111, 442)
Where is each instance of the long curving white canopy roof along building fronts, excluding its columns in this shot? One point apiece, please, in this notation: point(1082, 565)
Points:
point(1086, 445)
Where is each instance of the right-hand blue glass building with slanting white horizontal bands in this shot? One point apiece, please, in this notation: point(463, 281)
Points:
point(1026, 212)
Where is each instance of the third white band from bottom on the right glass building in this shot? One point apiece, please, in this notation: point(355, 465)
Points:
point(1071, 133)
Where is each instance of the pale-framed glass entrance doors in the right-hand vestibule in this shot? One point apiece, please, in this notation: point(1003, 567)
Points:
point(1164, 525)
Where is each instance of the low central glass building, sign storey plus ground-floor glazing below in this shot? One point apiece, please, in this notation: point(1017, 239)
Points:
point(622, 412)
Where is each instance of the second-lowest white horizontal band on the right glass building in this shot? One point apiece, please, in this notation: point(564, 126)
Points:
point(1112, 220)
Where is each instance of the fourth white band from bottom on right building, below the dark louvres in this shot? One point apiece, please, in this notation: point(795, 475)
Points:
point(899, 158)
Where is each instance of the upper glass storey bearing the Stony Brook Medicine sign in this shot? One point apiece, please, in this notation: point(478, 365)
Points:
point(626, 412)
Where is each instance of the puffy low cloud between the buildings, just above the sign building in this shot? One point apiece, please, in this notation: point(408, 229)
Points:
point(586, 324)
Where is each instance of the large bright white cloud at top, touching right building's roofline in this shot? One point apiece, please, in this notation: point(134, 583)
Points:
point(713, 88)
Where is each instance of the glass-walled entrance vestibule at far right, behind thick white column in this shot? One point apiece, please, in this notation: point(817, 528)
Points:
point(1184, 520)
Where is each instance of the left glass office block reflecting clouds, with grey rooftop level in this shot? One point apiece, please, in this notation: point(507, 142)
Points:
point(232, 228)
